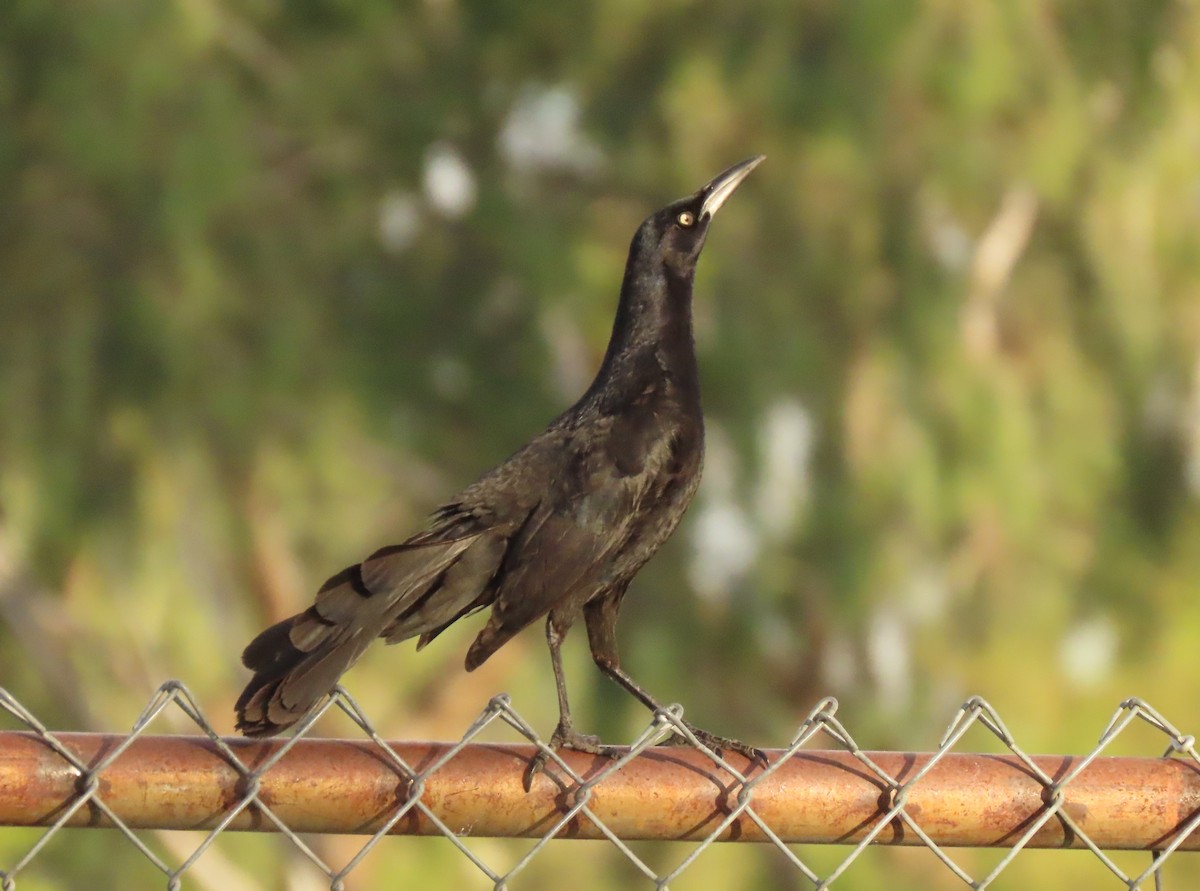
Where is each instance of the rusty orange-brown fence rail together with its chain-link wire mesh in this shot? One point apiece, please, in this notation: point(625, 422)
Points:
point(137, 784)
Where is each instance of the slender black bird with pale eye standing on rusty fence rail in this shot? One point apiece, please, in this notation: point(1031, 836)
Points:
point(557, 530)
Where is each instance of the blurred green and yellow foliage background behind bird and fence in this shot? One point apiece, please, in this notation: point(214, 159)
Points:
point(278, 278)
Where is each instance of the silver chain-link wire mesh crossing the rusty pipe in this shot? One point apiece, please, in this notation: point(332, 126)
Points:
point(743, 792)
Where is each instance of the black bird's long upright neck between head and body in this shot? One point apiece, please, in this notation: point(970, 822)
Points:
point(652, 337)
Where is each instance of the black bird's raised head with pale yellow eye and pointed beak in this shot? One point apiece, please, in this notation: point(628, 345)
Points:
point(676, 234)
